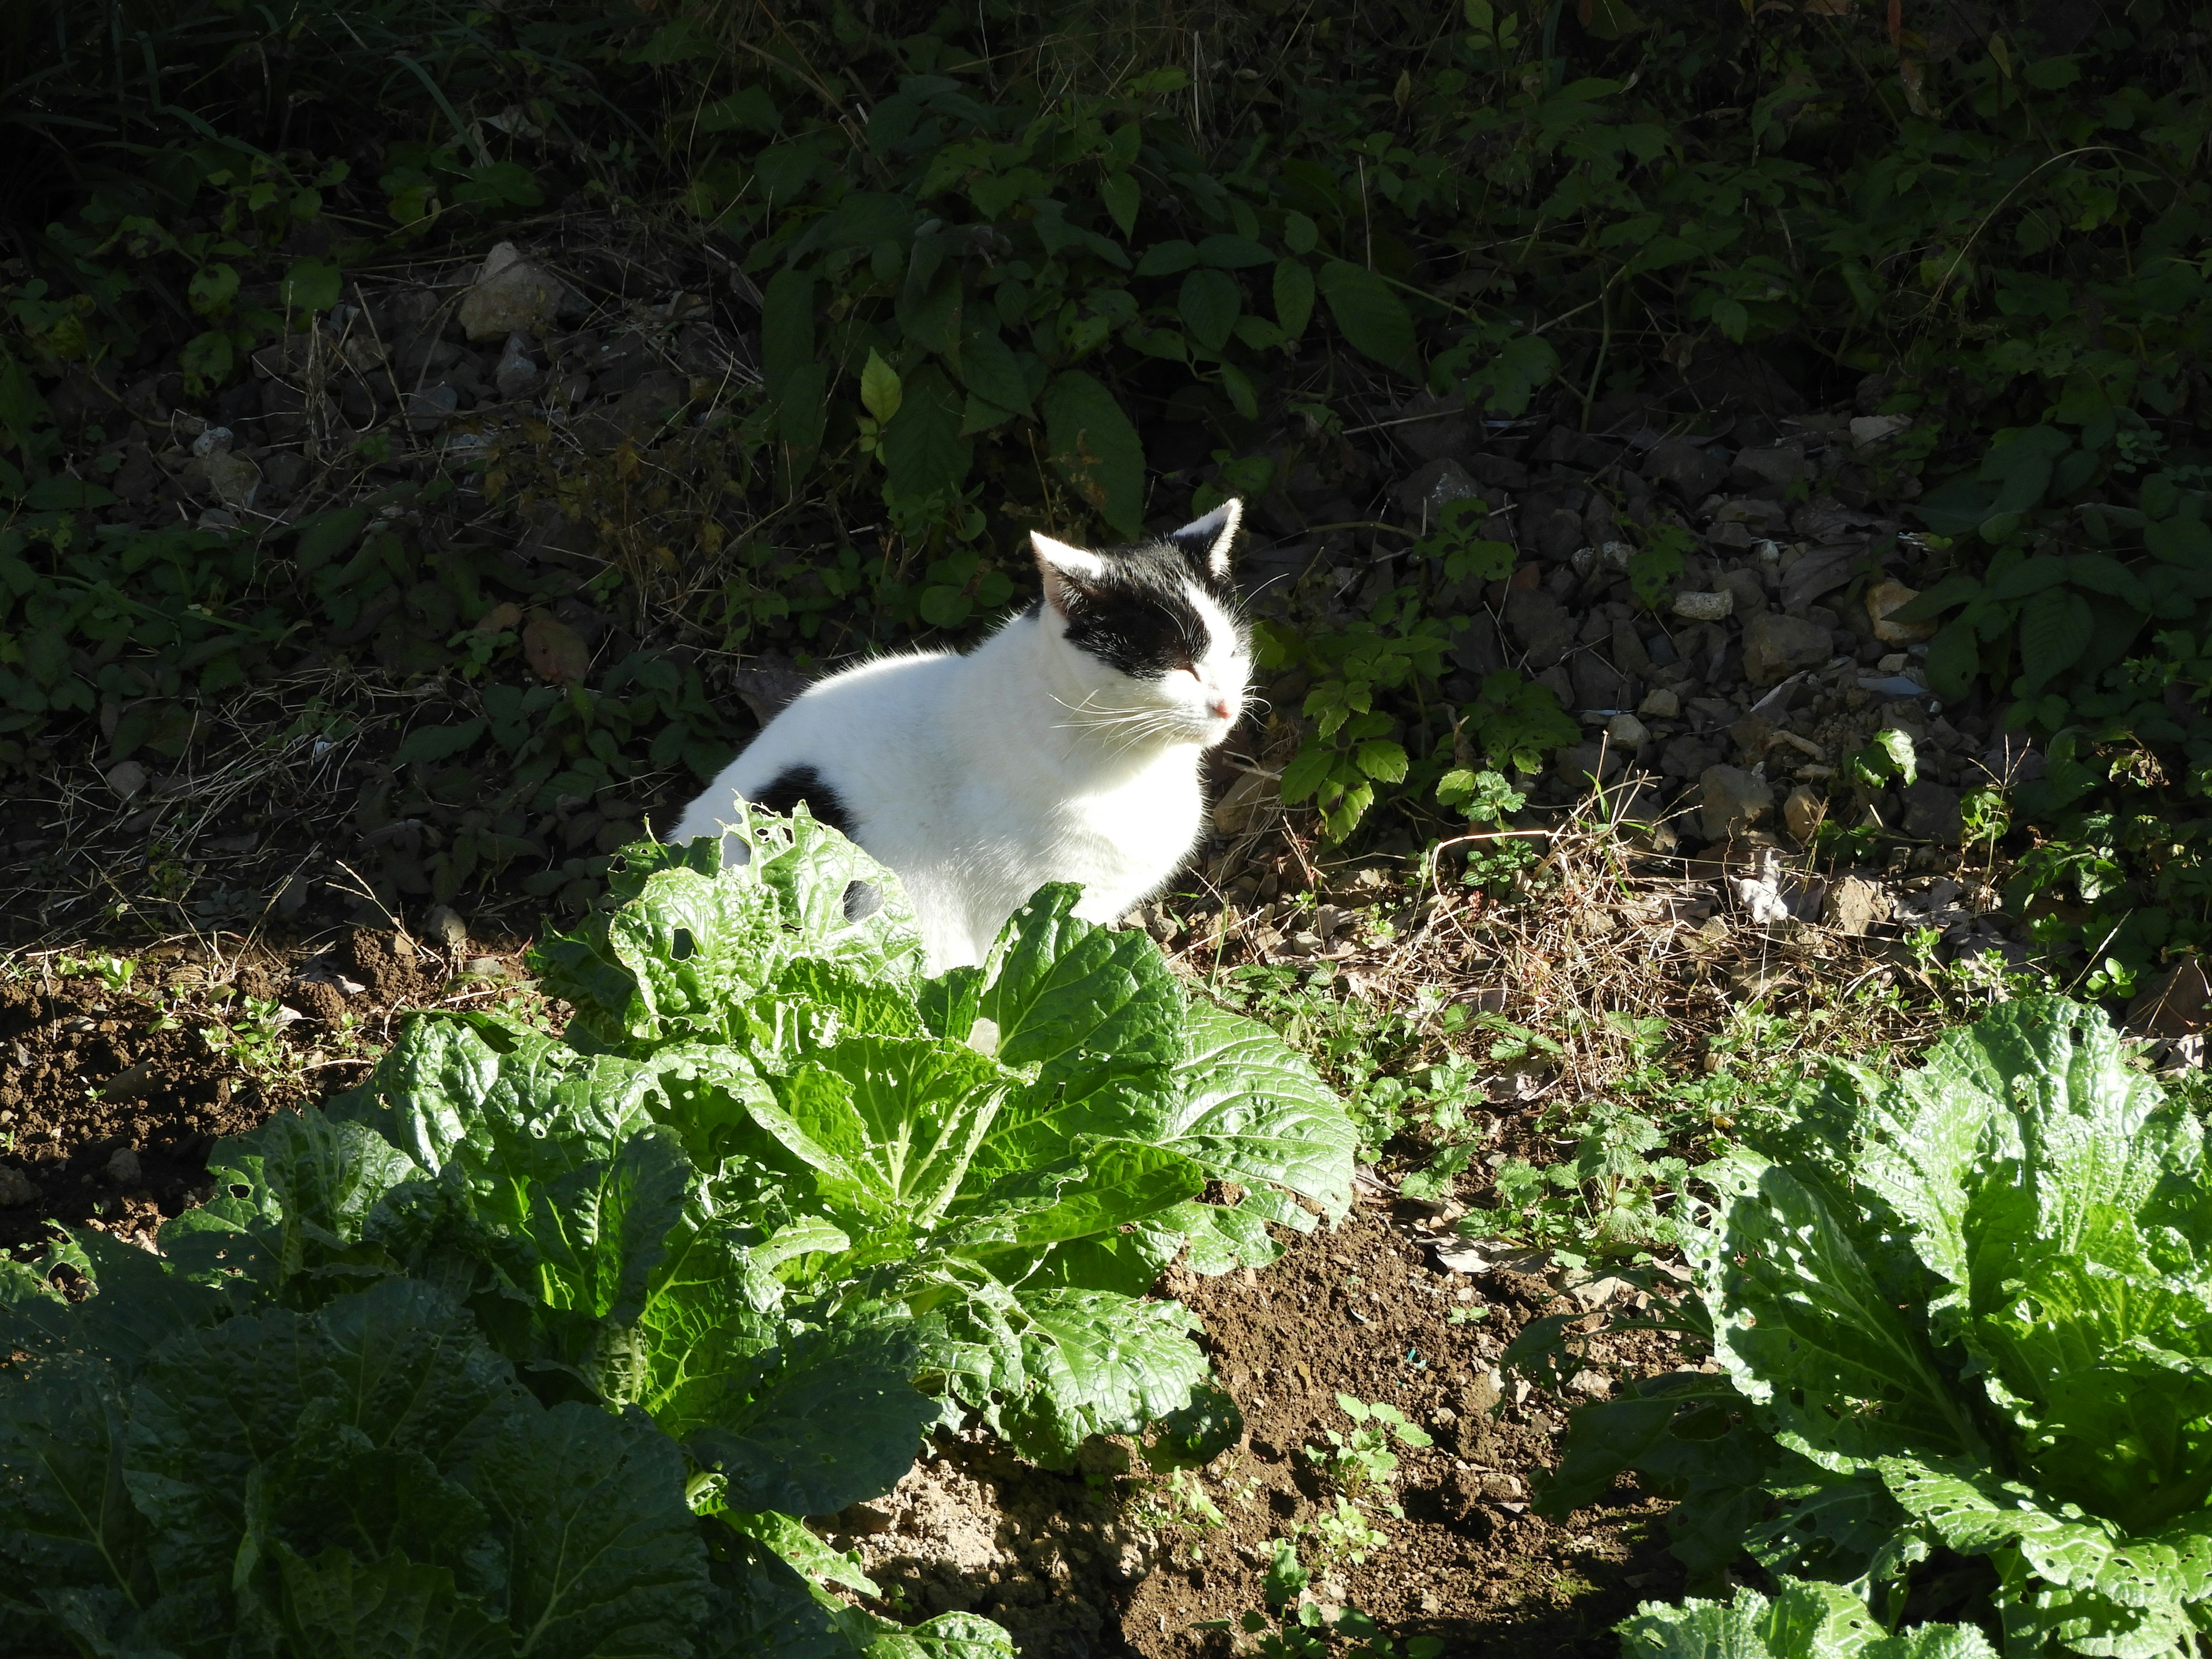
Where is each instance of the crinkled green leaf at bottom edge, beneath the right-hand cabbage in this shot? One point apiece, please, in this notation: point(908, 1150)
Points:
point(1799, 1623)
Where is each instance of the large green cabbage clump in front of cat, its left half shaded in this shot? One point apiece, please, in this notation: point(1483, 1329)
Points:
point(541, 1344)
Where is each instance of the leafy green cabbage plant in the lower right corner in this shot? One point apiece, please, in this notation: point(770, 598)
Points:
point(1959, 1322)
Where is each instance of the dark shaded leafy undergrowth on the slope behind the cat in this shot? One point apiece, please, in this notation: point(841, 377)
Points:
point(1005, 267)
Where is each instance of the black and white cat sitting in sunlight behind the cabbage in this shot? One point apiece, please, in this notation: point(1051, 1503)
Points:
point(1063, 749)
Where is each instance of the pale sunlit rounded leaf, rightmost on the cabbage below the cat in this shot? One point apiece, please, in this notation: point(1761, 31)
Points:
point(1253, 1112)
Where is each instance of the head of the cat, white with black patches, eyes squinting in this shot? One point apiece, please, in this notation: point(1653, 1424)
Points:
point(1151, 636)
